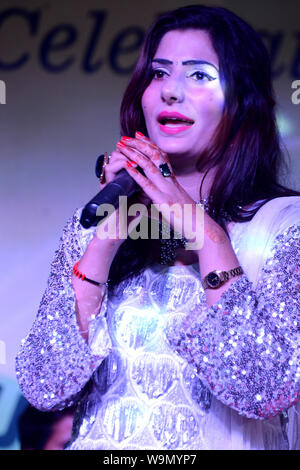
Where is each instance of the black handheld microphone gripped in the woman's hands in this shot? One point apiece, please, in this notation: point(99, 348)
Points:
point(122, 185)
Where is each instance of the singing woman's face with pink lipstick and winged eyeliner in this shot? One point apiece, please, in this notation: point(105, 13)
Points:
point(184, 102)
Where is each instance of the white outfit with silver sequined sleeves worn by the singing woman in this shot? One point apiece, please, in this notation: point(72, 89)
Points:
point(164, 371)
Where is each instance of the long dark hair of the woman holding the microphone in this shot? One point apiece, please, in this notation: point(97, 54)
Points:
point(246, 145)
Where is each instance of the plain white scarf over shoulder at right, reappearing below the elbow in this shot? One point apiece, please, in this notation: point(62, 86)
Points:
point(252, 242)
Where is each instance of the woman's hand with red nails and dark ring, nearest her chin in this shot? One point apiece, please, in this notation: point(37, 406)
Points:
point(164, 191)
